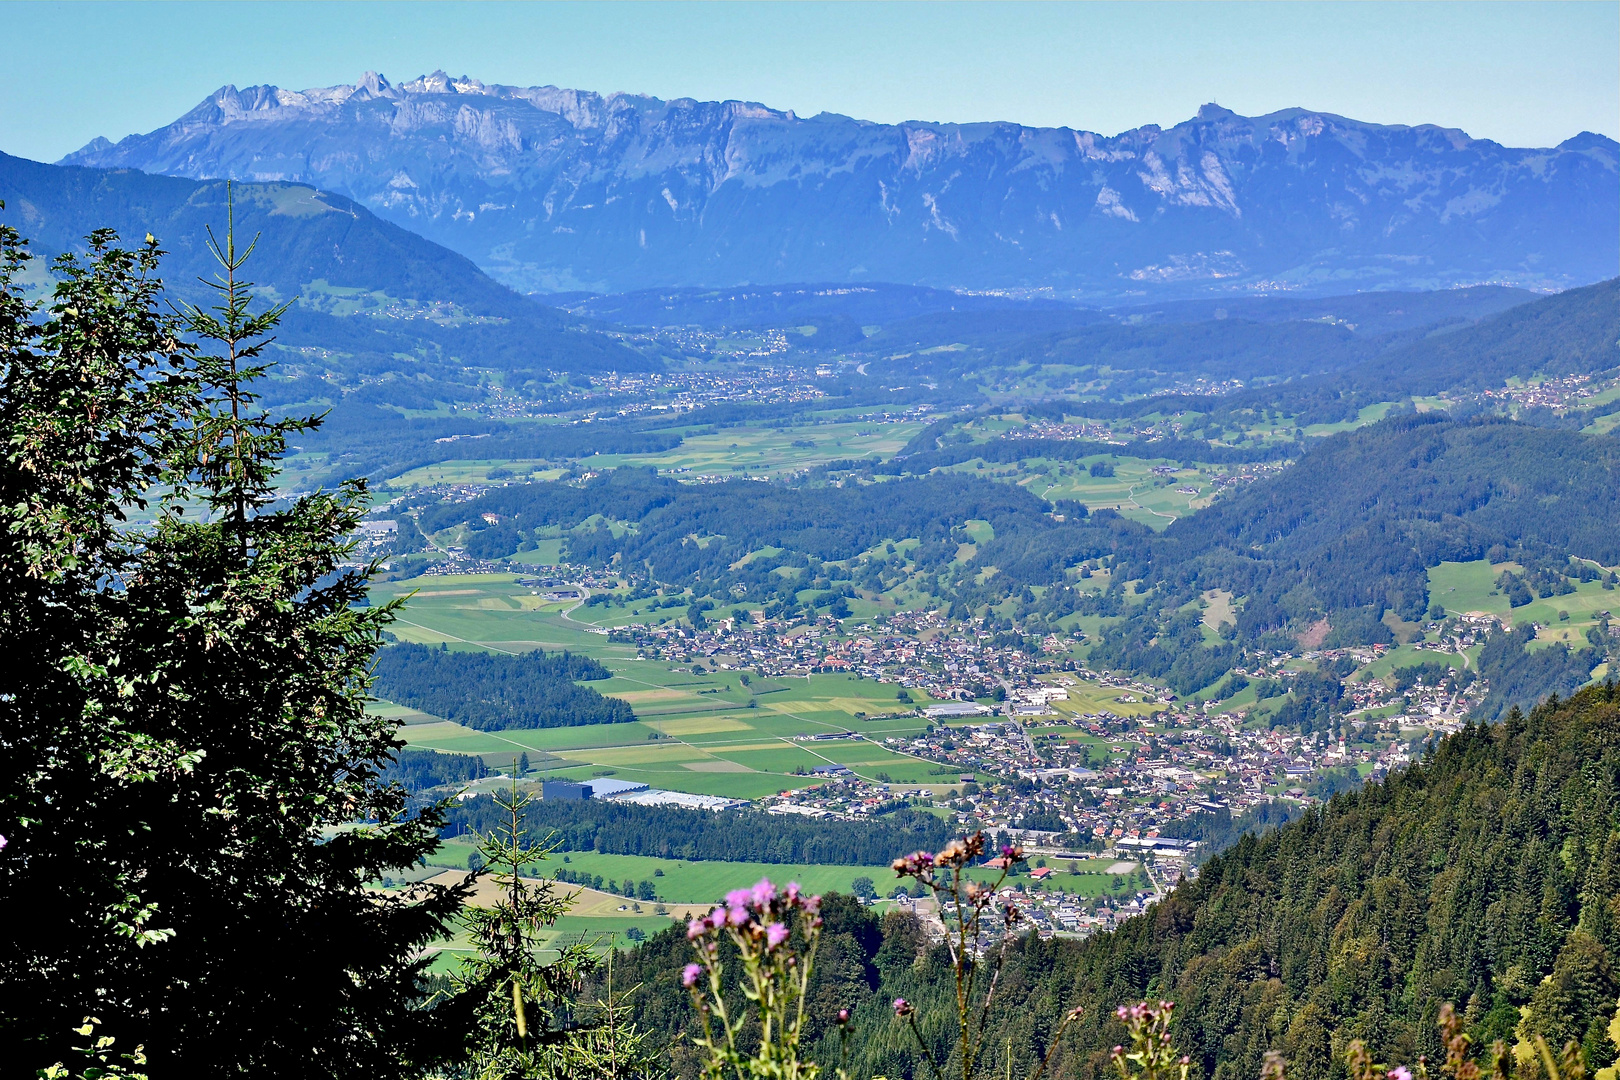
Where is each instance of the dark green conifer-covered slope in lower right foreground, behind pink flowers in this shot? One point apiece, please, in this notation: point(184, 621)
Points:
point(1486, 877)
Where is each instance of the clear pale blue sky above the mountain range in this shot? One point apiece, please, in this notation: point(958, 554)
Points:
point(1519, 74)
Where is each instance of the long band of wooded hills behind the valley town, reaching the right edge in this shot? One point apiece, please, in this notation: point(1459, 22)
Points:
point(1337, 542)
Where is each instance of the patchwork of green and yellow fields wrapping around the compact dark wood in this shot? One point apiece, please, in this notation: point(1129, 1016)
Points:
point(706, 734)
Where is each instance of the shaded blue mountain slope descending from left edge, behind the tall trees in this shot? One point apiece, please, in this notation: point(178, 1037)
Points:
point(365, 286)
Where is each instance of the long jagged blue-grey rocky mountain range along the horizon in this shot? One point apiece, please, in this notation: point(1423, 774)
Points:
point(552, 189)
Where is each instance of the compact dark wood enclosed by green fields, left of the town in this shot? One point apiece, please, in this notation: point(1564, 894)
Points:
point(493, 692)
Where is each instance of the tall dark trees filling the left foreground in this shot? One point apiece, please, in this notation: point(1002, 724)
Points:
point(192, 857)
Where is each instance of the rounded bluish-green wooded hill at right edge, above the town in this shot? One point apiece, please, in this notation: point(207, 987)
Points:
point(1362, 516)
